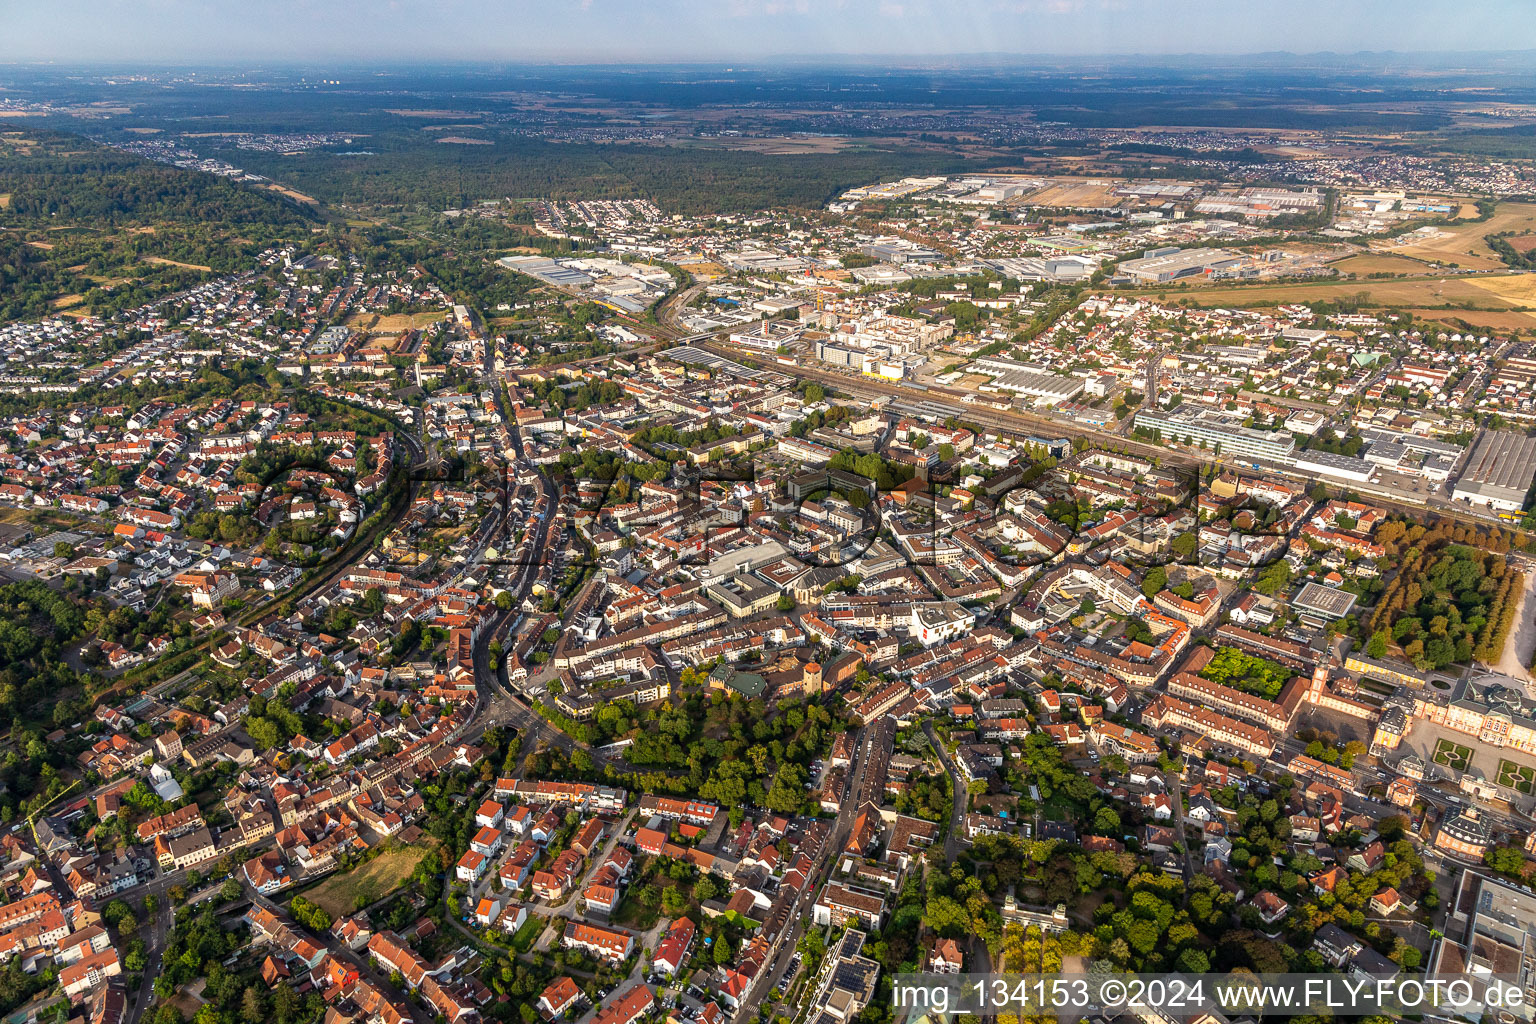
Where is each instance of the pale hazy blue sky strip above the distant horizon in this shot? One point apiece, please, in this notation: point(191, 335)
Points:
point(618, 31)
